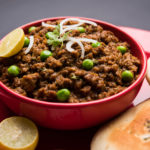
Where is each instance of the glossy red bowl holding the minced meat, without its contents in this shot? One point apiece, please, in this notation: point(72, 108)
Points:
point(78, 115)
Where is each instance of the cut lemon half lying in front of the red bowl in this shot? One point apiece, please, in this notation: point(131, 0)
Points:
point(18, 133)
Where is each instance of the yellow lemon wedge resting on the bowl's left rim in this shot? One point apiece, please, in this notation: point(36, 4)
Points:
point(12, 43)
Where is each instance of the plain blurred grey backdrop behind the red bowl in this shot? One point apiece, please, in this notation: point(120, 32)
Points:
point(133, 13)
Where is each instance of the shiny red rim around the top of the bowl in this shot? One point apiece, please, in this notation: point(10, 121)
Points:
point(26, 99)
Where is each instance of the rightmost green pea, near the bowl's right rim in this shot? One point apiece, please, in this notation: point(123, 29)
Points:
point(127, 76)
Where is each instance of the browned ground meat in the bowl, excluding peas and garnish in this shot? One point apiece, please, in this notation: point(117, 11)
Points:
point(42, 79)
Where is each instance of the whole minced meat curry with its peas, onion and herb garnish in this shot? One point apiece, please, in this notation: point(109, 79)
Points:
point(70, 60)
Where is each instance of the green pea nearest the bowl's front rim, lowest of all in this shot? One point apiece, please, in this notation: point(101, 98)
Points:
point(63, 95)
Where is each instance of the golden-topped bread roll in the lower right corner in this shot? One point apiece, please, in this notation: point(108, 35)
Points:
point(130, 131)
